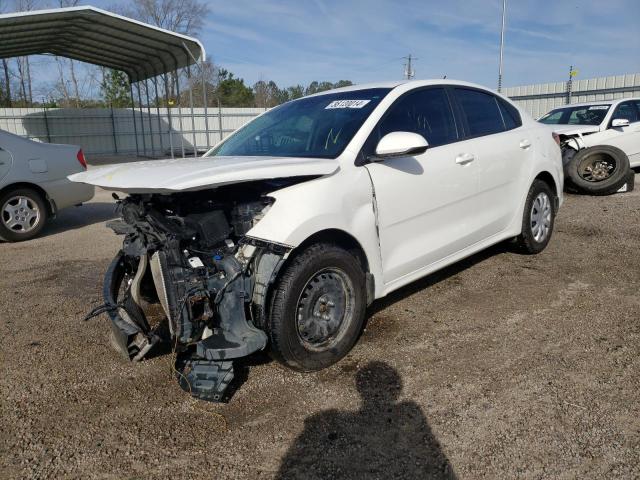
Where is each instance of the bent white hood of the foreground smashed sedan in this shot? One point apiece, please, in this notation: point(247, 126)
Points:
point(199, 173)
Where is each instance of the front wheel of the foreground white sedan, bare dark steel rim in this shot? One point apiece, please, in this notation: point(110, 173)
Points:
point(317, 308)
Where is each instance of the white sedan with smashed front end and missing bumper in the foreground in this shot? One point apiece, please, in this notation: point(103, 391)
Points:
point(281, 235)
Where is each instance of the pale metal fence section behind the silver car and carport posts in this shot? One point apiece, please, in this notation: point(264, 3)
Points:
point(111, 132)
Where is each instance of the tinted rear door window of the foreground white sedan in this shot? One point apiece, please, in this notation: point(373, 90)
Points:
point(481, 112)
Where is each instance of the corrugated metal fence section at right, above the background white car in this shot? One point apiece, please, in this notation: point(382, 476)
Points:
point(539, 99)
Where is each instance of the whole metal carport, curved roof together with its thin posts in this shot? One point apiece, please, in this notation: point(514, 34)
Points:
point(147, 54)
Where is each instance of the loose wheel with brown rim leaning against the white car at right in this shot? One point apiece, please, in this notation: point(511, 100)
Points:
point(599, 170)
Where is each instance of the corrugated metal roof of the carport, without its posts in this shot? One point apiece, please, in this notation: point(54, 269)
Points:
point(142, 51)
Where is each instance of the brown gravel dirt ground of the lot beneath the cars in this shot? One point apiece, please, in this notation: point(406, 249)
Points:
point(504, 366)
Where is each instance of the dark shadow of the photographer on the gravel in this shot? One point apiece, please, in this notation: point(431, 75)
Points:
point(386, 438)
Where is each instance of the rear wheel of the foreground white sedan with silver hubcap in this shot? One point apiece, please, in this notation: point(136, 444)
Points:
point(538, 218)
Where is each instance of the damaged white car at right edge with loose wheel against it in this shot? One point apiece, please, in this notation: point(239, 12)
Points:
point(600, 143)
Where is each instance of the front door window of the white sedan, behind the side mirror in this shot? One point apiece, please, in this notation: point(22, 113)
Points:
point(426, 112)
